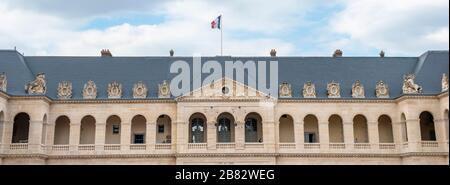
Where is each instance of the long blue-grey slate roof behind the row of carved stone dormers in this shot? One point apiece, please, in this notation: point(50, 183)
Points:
point(294, 70)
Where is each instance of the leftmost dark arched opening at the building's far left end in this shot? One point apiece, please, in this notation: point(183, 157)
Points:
point(21, 128)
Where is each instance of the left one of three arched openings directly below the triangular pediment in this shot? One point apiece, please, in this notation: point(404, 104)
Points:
point(198, 128)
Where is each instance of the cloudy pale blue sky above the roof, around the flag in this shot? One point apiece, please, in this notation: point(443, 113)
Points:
point(250, 27)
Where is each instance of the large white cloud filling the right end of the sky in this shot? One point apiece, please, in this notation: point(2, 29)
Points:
point(402, 27)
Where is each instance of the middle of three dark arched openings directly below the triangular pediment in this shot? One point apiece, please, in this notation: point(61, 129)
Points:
point(225, 128)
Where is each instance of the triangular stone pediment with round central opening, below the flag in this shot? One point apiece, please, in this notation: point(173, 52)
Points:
point(223, 89)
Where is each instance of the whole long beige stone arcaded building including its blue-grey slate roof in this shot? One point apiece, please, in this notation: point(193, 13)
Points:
point(119, 110)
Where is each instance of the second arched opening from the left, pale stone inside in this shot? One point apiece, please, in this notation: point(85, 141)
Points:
point(62, 131)
